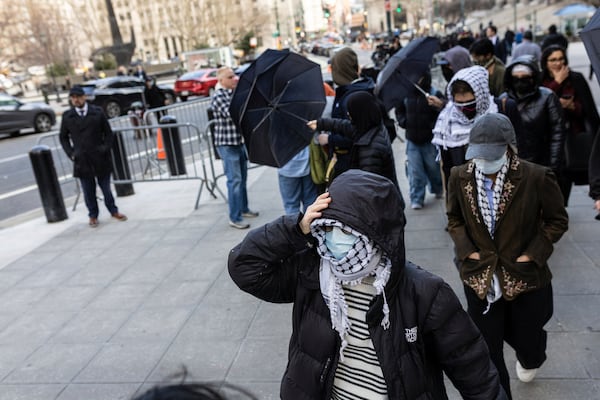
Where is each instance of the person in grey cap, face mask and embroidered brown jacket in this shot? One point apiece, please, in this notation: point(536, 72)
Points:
point(504, 214)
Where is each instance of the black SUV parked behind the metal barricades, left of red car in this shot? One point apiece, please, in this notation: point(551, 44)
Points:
point(116, 94)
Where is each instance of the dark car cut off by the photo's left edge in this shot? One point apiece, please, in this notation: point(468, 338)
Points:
point(16, 115)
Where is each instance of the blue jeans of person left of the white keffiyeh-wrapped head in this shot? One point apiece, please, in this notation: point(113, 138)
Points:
point(421, 170)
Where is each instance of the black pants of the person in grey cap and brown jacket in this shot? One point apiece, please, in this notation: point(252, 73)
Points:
point(519, 322)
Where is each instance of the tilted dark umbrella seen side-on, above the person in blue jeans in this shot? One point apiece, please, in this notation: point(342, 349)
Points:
point(402, 71)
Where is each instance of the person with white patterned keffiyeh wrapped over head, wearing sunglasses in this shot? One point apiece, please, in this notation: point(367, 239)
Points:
point(469, 98)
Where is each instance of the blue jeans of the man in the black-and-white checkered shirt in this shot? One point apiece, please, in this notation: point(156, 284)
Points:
point(235, 164)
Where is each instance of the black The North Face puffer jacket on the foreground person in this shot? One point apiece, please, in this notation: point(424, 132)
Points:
point(277, 263)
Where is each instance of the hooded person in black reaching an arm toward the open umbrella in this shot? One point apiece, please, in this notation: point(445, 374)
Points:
point(371, 149)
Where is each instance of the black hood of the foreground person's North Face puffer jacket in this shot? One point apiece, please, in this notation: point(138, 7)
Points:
point(372, 205)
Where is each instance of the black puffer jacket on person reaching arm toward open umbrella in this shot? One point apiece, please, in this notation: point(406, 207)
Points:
point(371, 151)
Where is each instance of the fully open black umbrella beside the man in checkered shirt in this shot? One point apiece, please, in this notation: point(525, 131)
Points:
point(272, 102)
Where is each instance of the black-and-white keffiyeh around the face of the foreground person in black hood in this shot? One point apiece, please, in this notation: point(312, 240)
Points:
point(364, 259)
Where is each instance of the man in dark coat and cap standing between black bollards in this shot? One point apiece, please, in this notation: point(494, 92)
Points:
point(87, 139)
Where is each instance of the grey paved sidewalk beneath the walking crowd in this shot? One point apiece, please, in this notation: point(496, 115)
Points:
point(102, 313)
